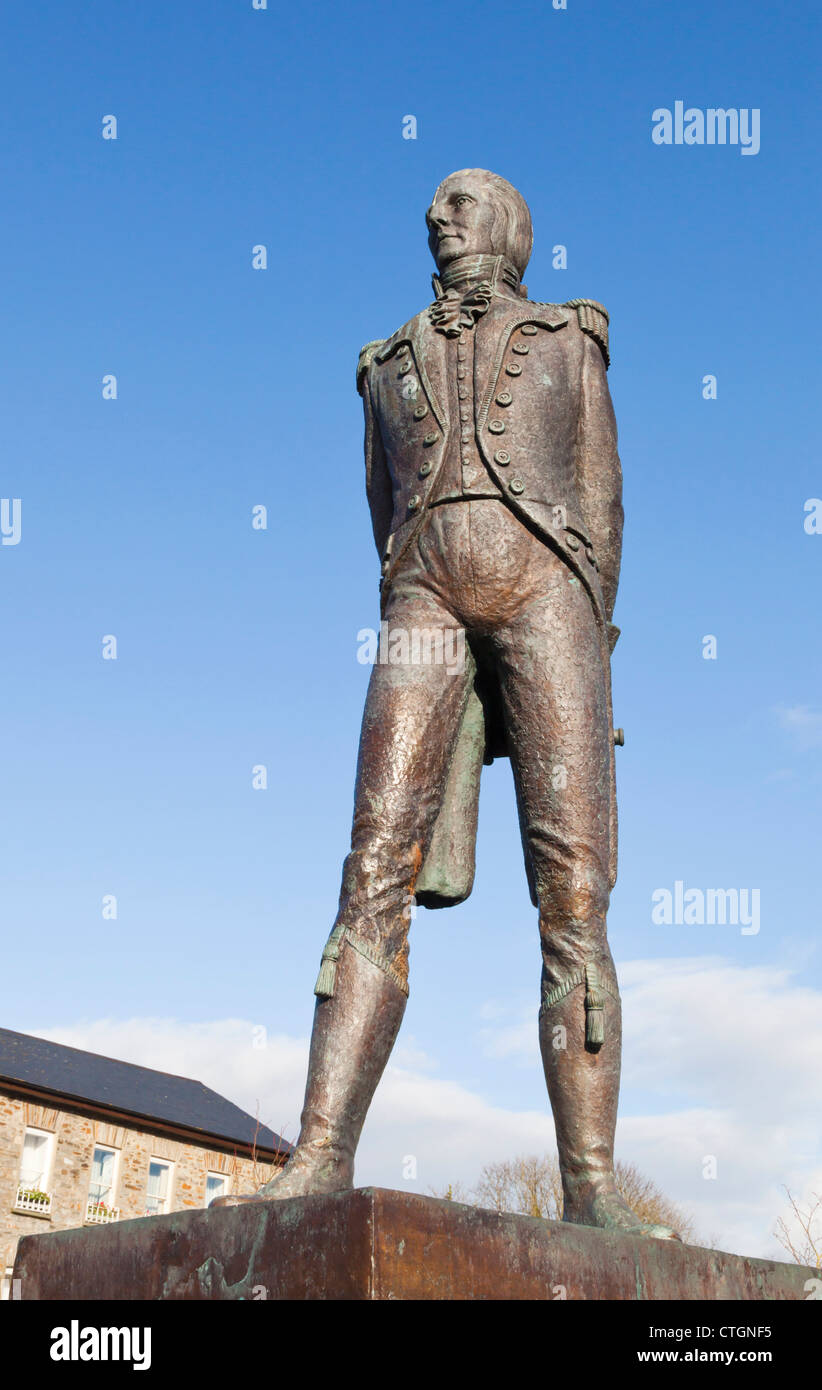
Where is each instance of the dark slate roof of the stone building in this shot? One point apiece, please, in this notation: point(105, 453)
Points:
point(138, 1090)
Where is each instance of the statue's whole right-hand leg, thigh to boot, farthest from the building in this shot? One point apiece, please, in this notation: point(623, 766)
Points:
point(560, 732)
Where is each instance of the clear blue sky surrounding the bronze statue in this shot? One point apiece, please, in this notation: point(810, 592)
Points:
point(239, 647)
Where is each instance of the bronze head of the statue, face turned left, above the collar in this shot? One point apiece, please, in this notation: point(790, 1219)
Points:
point(476, 213)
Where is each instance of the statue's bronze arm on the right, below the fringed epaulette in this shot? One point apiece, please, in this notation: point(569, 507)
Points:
point(600, 472)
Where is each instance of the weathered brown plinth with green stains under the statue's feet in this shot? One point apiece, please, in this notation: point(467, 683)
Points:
point(372, 1245)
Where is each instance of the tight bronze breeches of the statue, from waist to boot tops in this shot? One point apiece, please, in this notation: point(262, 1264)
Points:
point(476, 569)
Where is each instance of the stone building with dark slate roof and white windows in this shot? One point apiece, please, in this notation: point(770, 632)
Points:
point(88, 1140)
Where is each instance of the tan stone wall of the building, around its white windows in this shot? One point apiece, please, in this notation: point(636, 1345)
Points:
point(76, 1135)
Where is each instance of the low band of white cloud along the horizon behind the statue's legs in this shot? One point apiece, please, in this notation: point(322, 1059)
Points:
point(720, 1061)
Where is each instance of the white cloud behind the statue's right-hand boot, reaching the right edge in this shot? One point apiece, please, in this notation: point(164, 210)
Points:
point(728, 1060)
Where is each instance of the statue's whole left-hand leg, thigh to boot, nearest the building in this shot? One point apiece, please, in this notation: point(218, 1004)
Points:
point(411, 723)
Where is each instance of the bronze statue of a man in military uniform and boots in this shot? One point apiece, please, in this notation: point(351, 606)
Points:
point(496, 497)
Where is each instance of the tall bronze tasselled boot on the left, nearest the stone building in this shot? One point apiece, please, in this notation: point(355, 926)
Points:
point(355, 1029)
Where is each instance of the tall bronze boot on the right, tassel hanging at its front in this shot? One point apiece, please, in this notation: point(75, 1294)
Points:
point(583, 1085)
